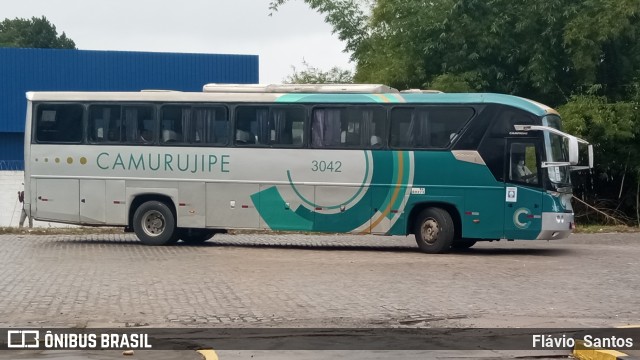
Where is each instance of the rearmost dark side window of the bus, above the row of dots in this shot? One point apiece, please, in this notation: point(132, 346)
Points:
point(59, 123)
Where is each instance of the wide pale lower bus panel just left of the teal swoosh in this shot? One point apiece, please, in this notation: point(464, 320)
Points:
point(230, 205)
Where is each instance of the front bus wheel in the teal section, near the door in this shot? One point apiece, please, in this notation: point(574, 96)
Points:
point(434, 231)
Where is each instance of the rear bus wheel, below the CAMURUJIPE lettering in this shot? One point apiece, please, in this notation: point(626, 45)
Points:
point(154, 223)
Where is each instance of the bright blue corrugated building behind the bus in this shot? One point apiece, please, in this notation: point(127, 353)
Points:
point(23, 70)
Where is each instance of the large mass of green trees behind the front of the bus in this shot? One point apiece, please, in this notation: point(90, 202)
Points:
point(582, 56)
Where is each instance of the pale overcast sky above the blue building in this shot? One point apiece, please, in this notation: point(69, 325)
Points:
point(199, 26)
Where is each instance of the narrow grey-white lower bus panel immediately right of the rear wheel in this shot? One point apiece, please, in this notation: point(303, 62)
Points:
point(191, 208)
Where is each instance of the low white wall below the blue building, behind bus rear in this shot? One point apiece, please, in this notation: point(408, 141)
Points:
point(10, 207)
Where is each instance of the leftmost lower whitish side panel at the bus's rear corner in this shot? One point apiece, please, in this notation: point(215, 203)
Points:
point(58, 200)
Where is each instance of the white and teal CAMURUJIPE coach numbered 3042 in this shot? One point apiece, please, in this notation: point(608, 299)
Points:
point(451, 169)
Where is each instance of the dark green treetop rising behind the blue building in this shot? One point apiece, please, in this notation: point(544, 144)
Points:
point(33, 33)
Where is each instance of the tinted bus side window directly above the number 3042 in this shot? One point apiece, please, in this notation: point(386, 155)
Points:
point(351, 127)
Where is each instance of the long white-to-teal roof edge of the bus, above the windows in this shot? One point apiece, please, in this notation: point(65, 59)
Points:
point(301, 94)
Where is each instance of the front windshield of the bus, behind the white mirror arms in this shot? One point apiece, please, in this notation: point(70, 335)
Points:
point(556, 151)
